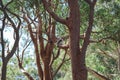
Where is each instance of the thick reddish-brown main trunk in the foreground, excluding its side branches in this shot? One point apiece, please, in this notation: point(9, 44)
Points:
point(79, 71)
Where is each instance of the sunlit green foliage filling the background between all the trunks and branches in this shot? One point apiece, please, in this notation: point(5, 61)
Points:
point(106, 24)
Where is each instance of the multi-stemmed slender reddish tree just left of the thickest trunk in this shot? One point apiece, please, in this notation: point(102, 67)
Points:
point(44, 38)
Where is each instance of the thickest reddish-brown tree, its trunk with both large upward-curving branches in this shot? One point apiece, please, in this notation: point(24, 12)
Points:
point(72, 22)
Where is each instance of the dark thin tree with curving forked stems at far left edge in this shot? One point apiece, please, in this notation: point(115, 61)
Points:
point(6, 20)
